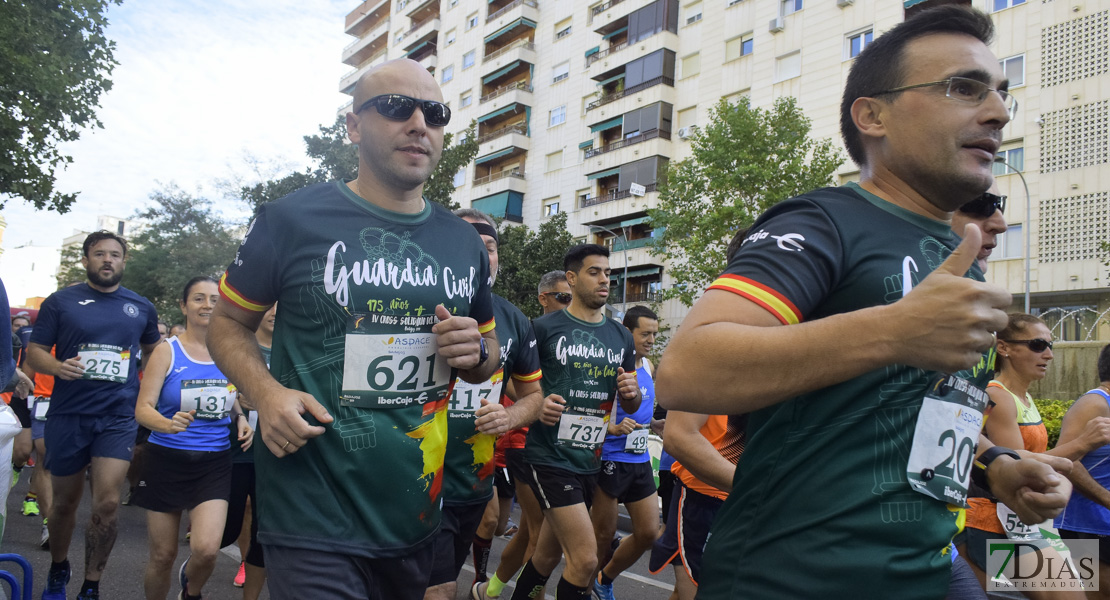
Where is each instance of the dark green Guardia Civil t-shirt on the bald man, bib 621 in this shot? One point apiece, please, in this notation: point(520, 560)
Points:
point(358, 288)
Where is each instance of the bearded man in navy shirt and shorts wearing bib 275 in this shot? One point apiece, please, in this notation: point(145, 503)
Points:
point(98, 330)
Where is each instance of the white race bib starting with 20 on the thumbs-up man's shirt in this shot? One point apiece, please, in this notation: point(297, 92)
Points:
point(945, 441)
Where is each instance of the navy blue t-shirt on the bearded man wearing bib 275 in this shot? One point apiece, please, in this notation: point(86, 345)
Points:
point(107, 330)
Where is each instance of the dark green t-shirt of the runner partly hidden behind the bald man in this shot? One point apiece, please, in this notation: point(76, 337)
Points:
point(470, 465)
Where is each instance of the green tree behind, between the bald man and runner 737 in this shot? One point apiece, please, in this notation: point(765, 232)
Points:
point(526, 256)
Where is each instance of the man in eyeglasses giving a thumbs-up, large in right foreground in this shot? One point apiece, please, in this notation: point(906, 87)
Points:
point(859, 352)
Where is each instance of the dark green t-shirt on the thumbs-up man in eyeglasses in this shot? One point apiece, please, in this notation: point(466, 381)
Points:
point(821, 504)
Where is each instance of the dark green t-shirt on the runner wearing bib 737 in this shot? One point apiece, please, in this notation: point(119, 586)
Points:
point(580, 362)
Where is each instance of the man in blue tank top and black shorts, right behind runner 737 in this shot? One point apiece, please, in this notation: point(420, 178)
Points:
point(627, 467)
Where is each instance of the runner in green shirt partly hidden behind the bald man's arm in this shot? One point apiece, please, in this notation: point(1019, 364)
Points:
point(475, 420)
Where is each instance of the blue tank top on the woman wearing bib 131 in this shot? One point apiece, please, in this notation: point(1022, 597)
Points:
point(191, 385)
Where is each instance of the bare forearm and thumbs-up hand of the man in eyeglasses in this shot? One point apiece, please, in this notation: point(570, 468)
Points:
point(944, 324)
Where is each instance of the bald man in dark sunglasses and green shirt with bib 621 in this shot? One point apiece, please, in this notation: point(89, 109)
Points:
point(386, 300)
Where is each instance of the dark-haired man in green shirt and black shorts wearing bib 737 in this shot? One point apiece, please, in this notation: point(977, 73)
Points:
point(588, 361)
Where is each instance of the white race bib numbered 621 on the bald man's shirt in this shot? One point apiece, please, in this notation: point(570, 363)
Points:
point(392, 370)
